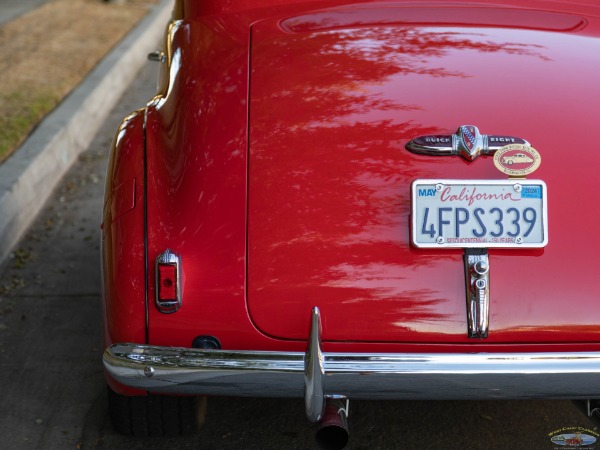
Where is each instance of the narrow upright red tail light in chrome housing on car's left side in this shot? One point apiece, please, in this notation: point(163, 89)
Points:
point(168, 282)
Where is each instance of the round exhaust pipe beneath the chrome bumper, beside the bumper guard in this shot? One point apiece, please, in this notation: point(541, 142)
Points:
point(333, 427)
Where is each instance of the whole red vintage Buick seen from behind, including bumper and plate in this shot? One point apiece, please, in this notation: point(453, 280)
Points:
point(315, 205)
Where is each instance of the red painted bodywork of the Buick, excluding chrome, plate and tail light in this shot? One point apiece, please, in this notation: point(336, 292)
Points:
point(276, 168)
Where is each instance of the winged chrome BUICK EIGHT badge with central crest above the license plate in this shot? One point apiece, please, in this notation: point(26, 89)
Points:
point(467, 142)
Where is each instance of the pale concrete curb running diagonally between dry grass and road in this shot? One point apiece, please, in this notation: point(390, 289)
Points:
point(29, 176)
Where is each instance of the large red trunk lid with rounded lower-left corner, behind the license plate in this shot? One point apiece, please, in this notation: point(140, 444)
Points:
point(334, 100)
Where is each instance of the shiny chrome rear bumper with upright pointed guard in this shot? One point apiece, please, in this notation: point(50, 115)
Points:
point(315, 375)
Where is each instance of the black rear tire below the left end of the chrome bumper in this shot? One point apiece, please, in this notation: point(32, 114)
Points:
point(155, 415)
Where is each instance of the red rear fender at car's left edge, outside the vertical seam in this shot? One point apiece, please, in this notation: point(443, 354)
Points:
point(123, 273)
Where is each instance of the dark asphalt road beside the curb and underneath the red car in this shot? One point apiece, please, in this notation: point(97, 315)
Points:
point(52, 392)
